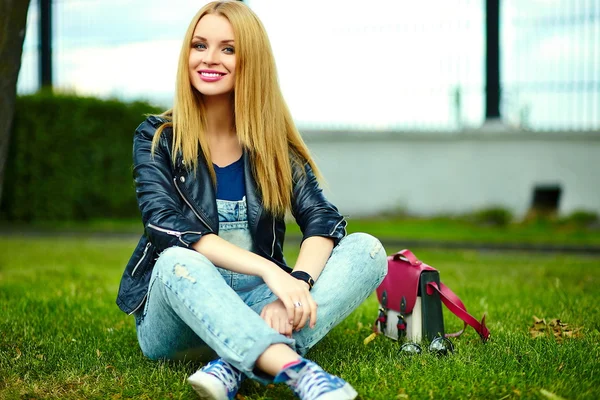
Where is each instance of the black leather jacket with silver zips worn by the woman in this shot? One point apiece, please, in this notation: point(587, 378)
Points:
point(178, 207)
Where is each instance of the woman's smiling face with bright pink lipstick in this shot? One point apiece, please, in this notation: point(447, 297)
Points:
point(212, 56)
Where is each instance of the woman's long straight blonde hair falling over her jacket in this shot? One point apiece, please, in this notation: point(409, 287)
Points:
point(263, 123)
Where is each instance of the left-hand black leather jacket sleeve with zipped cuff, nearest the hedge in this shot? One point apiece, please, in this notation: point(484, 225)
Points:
point(158, 199)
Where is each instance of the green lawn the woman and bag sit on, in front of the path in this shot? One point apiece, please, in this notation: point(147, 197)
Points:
point(62, 336)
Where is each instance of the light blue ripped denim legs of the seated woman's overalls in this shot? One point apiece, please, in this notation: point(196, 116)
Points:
point(196, 310)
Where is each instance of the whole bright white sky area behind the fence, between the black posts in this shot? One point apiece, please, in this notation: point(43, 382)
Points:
point(390, 65)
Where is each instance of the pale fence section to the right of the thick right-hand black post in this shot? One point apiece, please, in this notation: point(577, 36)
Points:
point(551, 64)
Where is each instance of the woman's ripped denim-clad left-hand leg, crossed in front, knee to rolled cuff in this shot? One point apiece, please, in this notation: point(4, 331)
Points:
point(191, 309)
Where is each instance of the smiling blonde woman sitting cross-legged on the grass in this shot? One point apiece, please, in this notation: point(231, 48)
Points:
point(214, 179)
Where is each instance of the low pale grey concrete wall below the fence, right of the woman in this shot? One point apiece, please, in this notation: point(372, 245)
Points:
point(426, 173)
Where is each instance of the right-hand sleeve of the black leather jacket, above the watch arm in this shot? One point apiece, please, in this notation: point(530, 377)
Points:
point(313, 213)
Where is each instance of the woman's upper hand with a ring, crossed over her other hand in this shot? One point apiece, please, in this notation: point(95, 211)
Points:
point(294, 297)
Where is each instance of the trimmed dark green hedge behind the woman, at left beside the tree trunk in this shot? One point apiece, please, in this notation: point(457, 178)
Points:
point(70, 159)
